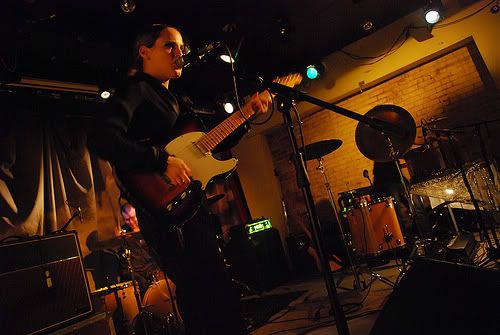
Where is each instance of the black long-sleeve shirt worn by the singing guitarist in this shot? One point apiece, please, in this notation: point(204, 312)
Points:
point(136, 125)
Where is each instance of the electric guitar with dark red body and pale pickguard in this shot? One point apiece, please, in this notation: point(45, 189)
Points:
point(154, 190)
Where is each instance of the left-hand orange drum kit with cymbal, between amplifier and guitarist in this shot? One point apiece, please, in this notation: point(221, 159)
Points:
point(155, 313)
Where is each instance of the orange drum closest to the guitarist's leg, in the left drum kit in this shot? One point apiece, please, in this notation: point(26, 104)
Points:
point(159, 302)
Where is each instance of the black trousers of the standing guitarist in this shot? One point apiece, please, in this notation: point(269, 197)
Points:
point(206, 298)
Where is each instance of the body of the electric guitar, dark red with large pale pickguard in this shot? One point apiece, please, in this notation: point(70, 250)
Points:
point(154, 191)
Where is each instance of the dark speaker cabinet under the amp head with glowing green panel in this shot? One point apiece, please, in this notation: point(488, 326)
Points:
point(258, 259)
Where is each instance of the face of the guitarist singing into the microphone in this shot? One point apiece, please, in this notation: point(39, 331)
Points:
point(159, 61)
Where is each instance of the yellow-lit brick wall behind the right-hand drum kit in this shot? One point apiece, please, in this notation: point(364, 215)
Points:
point(455, 85)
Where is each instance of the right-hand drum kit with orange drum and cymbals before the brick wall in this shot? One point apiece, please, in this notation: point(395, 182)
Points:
point(373, 223)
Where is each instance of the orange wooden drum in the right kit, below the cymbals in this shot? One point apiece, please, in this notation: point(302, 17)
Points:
point(375, 227)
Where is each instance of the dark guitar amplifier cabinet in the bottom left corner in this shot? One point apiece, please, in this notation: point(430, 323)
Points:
point(42, 284)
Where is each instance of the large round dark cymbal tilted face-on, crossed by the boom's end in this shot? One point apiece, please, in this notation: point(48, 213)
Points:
point(374, 145)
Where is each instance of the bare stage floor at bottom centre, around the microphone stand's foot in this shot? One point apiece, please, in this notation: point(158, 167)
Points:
point(310, 313)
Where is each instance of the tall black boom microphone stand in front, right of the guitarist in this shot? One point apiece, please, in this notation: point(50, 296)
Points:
point(285, 96)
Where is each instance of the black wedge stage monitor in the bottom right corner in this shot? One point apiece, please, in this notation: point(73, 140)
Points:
point(437, 297)
